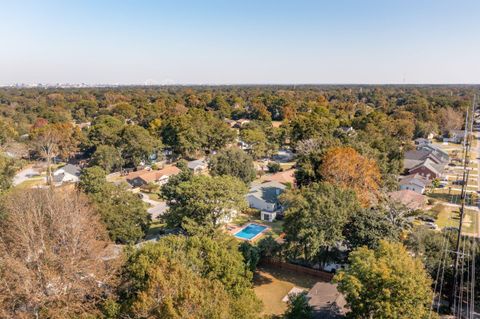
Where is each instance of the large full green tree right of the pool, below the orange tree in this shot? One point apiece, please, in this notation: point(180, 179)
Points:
point(315, 216)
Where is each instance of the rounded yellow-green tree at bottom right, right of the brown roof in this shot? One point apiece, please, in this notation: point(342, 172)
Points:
point(385, 283)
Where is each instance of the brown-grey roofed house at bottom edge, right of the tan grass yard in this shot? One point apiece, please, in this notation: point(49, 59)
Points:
point(327, 302)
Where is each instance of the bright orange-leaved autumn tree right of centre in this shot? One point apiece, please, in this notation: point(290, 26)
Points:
point(346, 168)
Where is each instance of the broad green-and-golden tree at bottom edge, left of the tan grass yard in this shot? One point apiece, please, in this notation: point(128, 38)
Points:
point(188, 277)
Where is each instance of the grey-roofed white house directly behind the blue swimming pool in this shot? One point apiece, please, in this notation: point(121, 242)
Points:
point(264, 197)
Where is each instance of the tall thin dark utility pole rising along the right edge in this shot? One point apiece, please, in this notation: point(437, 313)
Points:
point(466, 144)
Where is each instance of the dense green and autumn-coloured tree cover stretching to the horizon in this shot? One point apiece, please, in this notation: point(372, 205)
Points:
point(198, 271)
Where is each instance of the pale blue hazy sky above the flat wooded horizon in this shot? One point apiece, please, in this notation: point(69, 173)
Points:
point(240, 41)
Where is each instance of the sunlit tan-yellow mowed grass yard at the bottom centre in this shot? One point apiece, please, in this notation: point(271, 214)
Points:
point(271, 285)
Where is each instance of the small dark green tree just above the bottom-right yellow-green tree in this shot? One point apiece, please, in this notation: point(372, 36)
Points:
point(367, 227)
